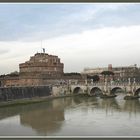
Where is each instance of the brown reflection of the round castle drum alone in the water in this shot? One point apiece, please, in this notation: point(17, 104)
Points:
point(43, 120)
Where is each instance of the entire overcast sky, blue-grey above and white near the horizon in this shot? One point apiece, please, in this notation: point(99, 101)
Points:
point(82, 35)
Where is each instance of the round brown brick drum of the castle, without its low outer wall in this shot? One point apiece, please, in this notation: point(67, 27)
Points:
point(42, 65)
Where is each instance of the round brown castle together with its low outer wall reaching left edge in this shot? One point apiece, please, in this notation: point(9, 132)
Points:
point(41, 69)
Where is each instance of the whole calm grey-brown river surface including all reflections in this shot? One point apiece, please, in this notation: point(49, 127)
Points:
point(73, 116)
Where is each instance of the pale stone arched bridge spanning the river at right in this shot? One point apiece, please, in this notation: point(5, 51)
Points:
point(132, 89)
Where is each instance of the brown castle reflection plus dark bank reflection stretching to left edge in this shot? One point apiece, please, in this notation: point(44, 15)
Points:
point(41, 117)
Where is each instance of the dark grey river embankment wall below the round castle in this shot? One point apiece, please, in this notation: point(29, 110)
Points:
point(14, 93)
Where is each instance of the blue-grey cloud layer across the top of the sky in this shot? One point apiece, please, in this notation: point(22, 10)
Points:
point(34, 22)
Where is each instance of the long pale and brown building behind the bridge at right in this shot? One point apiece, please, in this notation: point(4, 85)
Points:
point(119, 73)
